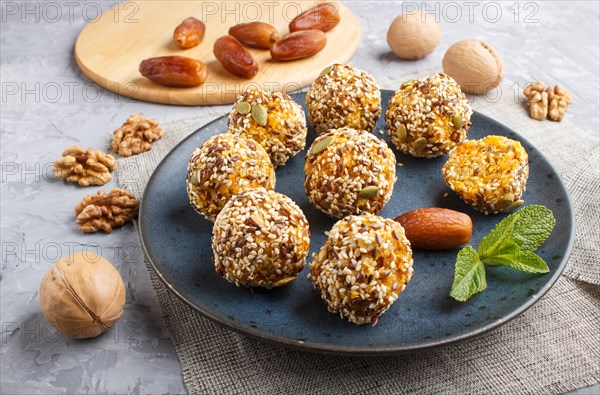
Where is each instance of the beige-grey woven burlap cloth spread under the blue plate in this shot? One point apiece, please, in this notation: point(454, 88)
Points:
point(552, 348)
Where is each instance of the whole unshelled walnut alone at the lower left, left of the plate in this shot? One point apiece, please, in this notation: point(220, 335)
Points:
point(82, 295)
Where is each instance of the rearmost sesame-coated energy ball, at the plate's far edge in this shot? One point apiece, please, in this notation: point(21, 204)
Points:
point(343, 96)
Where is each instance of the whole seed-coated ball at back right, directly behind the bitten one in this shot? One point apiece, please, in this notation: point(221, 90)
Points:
point(428, 117)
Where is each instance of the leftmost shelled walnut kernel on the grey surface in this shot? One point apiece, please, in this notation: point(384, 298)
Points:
point(89, 167)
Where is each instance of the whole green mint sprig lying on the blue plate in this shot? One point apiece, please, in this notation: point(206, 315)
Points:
point(512, 243)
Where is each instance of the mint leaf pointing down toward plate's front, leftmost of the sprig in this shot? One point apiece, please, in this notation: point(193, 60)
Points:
point(469, 275)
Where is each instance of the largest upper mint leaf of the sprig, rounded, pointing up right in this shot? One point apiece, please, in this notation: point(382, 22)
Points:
point(528, 228)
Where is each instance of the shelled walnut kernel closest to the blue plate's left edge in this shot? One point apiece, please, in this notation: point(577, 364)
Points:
point(103, 212)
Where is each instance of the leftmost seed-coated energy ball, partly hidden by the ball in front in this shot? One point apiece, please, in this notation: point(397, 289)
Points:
point(223, 166)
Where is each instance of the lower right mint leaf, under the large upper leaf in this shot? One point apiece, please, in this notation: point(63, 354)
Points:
point(509, 254)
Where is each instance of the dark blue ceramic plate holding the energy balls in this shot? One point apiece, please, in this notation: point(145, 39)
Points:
point(177, 242)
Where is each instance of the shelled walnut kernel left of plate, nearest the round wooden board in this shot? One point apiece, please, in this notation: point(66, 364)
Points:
point(136, 135)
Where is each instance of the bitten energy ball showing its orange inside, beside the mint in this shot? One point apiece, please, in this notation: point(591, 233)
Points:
point(489, 174)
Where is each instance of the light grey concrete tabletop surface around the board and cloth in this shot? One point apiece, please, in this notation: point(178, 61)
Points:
point(48, 104)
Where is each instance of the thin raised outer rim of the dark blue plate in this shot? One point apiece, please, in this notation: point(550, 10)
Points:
point(358, 350)
